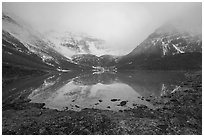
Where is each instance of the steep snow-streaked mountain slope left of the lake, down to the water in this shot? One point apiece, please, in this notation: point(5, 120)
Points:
point(24, 48)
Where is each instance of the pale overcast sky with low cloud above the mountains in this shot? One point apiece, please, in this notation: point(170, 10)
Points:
point(122, 25)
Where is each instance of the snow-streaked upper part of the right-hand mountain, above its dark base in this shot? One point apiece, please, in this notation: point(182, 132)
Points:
point(168, 40)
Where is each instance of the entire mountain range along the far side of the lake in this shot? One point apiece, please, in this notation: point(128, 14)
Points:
point(24, 48)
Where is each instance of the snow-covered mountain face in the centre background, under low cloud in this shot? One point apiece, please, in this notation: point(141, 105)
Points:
point(70, 43)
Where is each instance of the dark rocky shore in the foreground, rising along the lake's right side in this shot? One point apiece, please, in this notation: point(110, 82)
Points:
point(177, 112)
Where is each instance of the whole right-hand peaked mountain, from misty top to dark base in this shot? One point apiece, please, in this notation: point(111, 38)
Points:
point(167, 47)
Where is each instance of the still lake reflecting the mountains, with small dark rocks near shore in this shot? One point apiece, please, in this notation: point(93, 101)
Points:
point(75, 91)
